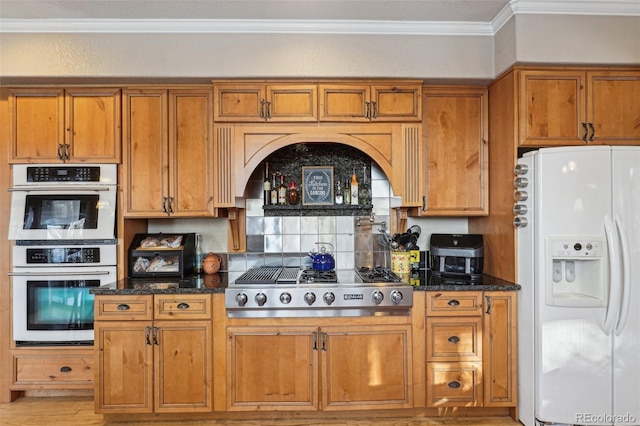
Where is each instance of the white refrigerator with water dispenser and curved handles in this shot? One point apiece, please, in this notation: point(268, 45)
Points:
point(577, 214)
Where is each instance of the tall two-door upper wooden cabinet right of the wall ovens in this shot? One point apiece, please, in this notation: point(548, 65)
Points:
point(168, 155)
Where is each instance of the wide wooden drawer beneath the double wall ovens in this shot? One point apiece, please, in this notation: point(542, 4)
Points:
point(65, 371)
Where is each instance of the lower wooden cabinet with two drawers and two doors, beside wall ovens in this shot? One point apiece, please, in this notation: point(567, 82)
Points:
point(154, 354)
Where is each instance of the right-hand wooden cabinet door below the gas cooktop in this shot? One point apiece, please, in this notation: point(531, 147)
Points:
point(366, 367)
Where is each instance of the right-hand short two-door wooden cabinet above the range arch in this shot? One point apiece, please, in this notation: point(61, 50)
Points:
point(365, 101)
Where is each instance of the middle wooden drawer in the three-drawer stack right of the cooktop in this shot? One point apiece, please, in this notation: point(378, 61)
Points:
point(454, 339)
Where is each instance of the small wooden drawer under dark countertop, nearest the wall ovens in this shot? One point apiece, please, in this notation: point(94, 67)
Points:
point(121, 308)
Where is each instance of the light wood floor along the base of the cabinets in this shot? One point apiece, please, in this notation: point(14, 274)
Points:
point(68, 411)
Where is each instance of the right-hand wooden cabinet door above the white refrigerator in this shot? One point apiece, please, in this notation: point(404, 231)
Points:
point(613, 107)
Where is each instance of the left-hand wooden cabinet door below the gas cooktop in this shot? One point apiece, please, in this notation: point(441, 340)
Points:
point(272, 368)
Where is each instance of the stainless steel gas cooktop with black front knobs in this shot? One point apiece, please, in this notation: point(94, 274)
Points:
point(296, 292)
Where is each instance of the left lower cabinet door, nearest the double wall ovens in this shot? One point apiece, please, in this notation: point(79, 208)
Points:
point(124, 373)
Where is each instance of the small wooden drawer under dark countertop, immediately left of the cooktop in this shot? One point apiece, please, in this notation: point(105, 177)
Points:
point(182, 306)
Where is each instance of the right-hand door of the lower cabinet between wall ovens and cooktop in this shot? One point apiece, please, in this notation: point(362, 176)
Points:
point(183, 366)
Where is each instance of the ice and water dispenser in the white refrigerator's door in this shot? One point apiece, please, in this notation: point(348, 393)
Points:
point(575, 272)
